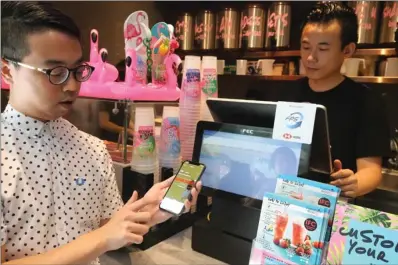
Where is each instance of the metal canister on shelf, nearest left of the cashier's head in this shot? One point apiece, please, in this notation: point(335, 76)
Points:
point(278, 25)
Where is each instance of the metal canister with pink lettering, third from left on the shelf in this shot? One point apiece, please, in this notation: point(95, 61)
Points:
point(227, 29)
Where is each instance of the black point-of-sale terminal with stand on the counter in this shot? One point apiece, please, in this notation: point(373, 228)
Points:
point(242, 163)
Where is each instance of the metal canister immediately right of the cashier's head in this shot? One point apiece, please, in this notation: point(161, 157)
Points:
point(367, 14)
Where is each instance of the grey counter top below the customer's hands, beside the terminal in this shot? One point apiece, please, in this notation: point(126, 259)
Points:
point(175, 250)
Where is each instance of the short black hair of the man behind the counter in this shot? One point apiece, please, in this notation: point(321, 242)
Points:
point(327, 12)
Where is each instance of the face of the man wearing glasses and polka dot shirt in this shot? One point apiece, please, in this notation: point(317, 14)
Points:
point(31, 90)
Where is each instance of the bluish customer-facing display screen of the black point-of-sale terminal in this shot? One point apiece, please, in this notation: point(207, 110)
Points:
point(246, 160)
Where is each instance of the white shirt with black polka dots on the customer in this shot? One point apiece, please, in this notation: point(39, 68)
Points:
point(57, 183)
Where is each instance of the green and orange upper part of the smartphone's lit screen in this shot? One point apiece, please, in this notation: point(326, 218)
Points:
point(184, 181)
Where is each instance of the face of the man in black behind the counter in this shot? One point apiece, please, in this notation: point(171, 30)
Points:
point(321, 50)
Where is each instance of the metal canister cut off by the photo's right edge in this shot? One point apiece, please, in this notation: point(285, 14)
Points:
point(389, 22)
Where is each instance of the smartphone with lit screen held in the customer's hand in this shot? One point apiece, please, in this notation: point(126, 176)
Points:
point(179, 191)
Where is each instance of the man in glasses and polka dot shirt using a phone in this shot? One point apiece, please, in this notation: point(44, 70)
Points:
point(59, 199)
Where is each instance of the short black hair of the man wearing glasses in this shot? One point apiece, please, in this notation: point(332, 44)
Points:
point(20, 19)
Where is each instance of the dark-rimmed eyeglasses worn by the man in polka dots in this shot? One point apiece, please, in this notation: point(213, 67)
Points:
point(60, 74)
